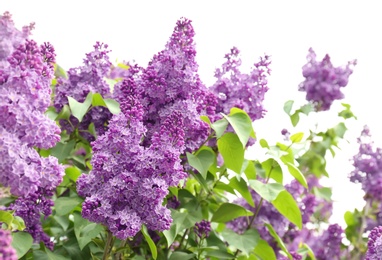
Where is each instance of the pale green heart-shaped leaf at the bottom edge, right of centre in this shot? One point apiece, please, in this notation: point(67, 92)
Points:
point(245, 242)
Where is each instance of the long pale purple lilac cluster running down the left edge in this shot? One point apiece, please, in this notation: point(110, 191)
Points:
point(25, 91)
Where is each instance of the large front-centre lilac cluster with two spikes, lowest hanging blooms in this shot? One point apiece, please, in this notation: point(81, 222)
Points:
point(139, 175)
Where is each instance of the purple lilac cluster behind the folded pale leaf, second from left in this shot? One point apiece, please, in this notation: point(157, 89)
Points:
point(81, 80)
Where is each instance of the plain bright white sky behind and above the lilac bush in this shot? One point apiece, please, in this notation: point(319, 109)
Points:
point(136, 30)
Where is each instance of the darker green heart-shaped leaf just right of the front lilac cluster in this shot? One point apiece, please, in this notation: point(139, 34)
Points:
point(202, 160)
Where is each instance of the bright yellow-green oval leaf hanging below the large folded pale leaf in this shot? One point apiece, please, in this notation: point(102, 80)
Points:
point(232, 151)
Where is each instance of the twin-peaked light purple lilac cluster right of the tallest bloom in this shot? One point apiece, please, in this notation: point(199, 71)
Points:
point(244, 91)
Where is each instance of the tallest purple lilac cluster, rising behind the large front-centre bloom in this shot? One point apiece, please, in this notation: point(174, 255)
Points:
point(170, 83)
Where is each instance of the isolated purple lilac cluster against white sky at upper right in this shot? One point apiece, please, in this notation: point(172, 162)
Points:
point(323, 82)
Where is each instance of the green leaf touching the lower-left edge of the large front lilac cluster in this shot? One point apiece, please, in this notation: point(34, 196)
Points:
point(85, 230)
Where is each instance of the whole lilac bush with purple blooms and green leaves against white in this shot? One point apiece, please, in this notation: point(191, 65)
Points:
point(151, 181)
